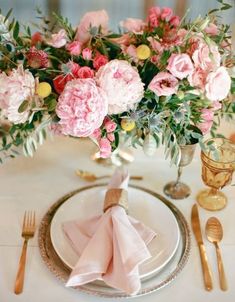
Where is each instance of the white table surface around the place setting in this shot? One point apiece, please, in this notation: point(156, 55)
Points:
point(36, 183)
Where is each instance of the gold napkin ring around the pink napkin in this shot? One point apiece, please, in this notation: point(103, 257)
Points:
point(116, 197)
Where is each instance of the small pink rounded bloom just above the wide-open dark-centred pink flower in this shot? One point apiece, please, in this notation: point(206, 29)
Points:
point(180, 65)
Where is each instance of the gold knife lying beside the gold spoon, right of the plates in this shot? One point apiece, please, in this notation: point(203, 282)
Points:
point(198, 235)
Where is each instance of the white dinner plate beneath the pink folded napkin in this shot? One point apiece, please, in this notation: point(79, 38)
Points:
point(142, 206)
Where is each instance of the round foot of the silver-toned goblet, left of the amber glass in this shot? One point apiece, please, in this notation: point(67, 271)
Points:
point(177, 190)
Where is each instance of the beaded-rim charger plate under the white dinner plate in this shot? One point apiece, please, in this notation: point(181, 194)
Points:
point(158, 281)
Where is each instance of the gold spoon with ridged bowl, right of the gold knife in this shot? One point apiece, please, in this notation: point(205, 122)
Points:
point(214, 232)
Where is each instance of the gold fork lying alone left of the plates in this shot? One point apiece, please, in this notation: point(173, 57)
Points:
point(28, 231)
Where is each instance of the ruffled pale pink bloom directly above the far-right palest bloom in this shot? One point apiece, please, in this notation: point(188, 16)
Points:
point(206, 57)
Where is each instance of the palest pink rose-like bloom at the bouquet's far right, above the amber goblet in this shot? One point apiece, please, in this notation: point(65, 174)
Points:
point(218, 84)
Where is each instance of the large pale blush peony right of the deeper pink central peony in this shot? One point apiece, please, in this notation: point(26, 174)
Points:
point(122, 84)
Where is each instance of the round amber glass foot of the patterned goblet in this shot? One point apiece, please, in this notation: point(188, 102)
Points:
point(211, 201)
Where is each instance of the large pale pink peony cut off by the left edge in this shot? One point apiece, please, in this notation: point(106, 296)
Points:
point(14, 89)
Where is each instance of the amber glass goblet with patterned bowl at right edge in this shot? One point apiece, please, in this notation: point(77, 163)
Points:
point(217, 171)
